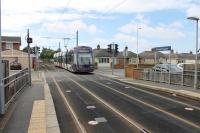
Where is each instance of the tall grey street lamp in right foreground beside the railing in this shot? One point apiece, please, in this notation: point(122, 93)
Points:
point(195, 73)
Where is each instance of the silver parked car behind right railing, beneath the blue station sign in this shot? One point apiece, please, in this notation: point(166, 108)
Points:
point(166, 67)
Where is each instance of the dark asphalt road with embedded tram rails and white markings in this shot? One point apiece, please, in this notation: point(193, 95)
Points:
point(96, 104)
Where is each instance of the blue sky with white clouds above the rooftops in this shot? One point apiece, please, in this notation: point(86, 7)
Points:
point(138, 24)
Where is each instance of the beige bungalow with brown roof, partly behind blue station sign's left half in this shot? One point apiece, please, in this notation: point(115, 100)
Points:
point(152, 57)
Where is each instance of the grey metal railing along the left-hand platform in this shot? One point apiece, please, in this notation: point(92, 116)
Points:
point(11, 86)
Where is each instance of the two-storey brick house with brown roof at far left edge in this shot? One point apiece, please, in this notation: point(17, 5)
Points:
point(10, 42)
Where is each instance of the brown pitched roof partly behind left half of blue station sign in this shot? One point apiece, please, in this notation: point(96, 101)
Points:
point(151, 55)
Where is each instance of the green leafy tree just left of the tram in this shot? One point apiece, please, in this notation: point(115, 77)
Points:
point(47, 53)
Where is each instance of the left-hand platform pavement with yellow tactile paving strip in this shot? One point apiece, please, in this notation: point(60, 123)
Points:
point(32, 111)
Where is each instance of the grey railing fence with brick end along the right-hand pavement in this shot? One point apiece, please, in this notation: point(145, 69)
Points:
point(185, 78)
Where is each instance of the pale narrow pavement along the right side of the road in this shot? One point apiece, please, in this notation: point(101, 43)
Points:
point(170, 88)
